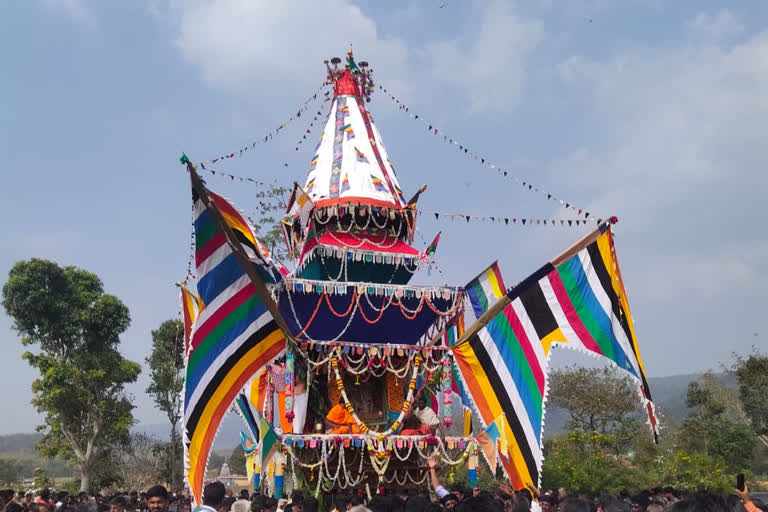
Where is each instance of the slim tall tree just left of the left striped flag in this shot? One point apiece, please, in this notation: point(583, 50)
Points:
point(166, 372)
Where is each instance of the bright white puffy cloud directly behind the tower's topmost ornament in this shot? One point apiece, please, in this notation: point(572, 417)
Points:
point(239, 44)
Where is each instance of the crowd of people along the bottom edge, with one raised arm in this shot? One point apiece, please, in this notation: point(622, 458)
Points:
point(456, 498)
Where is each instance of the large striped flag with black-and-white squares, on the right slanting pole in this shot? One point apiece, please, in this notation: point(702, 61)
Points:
point(578, 301)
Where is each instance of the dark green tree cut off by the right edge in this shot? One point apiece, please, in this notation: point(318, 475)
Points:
point(752, 374)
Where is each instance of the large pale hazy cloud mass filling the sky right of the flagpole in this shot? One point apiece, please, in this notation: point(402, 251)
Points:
point(679, 155)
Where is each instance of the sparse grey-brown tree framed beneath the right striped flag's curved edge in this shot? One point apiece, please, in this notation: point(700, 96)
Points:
point(598, 400)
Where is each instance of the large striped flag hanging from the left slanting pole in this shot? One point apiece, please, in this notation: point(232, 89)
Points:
point(234, 336)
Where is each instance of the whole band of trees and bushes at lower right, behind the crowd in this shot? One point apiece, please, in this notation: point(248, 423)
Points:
point(607, 447)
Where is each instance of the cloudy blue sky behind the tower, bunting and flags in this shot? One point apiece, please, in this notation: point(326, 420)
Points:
point(651, 110)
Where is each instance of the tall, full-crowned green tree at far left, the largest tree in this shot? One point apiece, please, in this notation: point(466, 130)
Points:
point(81, 389)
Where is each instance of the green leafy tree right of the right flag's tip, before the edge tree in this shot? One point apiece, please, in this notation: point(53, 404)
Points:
point(712, 427)
